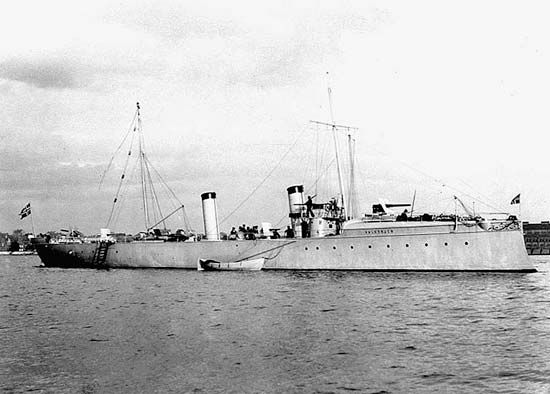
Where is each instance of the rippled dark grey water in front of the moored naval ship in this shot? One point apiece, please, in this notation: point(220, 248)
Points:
point(87, 331)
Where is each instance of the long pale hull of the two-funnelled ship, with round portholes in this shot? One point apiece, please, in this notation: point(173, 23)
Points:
point(433, 248)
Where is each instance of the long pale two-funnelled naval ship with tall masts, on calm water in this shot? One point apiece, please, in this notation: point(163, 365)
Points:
point(320, 236)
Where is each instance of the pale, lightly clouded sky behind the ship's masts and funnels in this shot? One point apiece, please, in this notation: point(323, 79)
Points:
point(449, 98)
